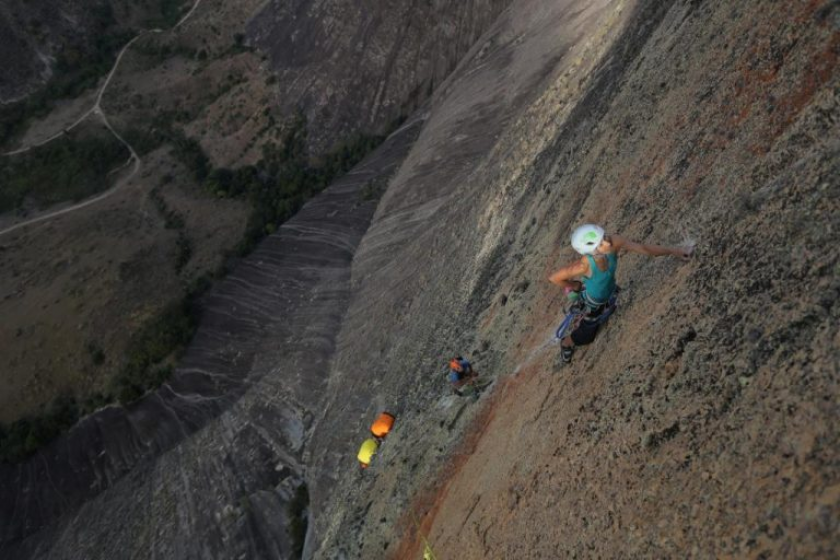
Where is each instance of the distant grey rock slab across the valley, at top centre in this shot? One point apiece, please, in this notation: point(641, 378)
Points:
point(359, 65)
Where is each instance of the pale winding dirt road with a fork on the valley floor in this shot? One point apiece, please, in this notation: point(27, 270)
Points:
point(97, 110)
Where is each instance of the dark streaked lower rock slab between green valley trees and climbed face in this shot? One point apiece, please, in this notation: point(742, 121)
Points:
point(204, 466)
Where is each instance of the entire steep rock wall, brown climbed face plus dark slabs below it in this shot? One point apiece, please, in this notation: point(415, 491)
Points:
point(660, 119)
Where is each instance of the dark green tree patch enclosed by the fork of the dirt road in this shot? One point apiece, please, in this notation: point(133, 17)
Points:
point(69, 168)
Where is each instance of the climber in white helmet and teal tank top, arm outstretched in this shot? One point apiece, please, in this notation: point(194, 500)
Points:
point(592, 277)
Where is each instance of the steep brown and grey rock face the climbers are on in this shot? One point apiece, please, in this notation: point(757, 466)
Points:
point(700, 423)
